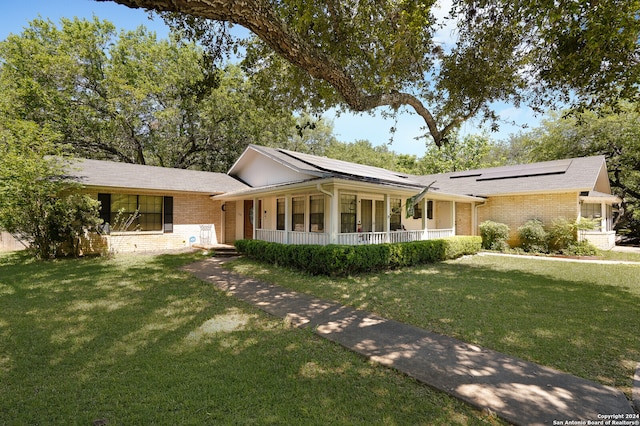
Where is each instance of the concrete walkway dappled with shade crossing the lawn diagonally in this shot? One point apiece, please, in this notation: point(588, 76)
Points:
point(518, 391)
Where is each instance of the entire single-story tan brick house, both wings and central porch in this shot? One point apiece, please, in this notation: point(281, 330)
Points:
point(294, 198)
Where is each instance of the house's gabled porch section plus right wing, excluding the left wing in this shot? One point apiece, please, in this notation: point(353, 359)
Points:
point(305, 199)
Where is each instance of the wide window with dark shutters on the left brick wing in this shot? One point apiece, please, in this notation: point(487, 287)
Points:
point(150, 209)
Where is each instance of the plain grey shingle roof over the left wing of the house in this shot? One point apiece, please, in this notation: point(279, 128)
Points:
point(110, 174)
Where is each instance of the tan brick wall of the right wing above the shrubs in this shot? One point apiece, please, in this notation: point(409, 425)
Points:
point(516, 210)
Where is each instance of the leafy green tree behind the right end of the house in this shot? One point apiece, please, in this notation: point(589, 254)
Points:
point(616, 135)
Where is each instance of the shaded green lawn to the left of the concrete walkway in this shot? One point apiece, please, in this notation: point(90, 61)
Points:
point(133, 340)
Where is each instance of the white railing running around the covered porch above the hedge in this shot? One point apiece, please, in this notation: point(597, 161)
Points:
point(353, 238)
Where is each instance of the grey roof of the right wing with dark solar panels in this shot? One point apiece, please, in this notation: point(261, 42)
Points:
point(574, 174)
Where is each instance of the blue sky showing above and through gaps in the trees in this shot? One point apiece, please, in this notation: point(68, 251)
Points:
point(16, 15)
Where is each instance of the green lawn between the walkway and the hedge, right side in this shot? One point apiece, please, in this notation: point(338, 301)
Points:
point(576, 317)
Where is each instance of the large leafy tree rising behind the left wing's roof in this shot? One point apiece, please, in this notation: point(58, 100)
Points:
point(129, 97)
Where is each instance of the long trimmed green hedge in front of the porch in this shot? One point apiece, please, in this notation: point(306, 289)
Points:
point(341, 260)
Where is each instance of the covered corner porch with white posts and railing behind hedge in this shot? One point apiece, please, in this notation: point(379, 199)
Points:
point(349, 213)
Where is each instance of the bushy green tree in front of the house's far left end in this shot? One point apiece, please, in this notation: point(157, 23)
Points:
point(38, 202)
